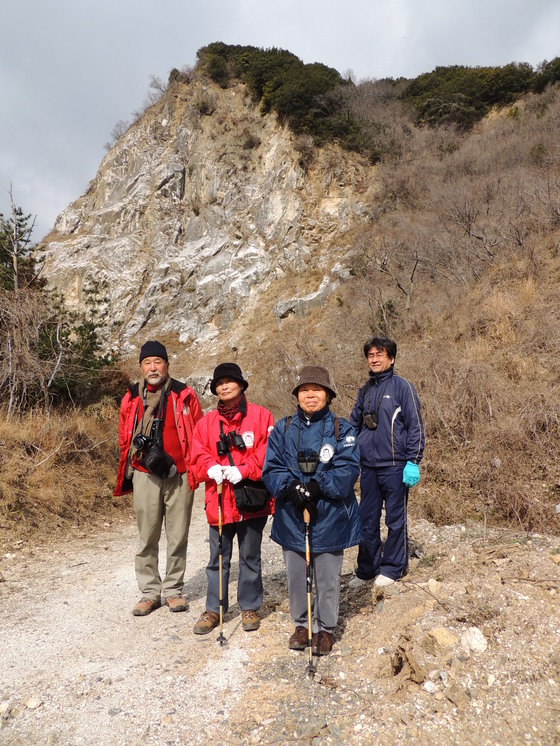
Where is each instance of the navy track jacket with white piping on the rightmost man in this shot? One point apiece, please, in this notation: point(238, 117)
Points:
point(399, 436)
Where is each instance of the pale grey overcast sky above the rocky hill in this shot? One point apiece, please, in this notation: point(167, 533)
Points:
point(70, 69)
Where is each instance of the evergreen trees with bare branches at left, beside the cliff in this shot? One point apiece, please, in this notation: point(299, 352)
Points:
point(48, 354)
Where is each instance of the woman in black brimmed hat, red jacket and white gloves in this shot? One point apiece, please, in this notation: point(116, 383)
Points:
point(229, 445)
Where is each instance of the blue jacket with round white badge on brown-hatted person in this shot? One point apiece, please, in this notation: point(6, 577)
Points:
point(337, 525)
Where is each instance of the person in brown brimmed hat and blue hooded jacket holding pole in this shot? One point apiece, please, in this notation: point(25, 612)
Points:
point(312, 462)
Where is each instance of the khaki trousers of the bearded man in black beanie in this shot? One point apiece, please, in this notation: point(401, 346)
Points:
point(158, 501)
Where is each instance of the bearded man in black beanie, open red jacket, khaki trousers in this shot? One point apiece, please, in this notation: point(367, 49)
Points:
point(157, 420)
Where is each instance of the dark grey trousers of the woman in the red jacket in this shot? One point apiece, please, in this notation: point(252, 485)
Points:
point(249, 583)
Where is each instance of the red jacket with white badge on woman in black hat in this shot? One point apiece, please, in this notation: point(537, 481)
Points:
point(254, 427)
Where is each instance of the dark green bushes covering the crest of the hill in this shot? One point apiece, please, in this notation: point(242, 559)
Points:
point(311, 98)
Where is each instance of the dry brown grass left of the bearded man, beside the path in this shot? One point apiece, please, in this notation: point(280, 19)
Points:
point(58, 470)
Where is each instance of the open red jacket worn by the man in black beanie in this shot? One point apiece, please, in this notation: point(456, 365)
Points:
point(186, 411)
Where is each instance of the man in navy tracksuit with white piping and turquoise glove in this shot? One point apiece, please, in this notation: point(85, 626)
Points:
point(387, 418)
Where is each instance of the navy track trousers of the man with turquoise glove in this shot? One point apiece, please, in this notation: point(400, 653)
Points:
point(383, 487)
